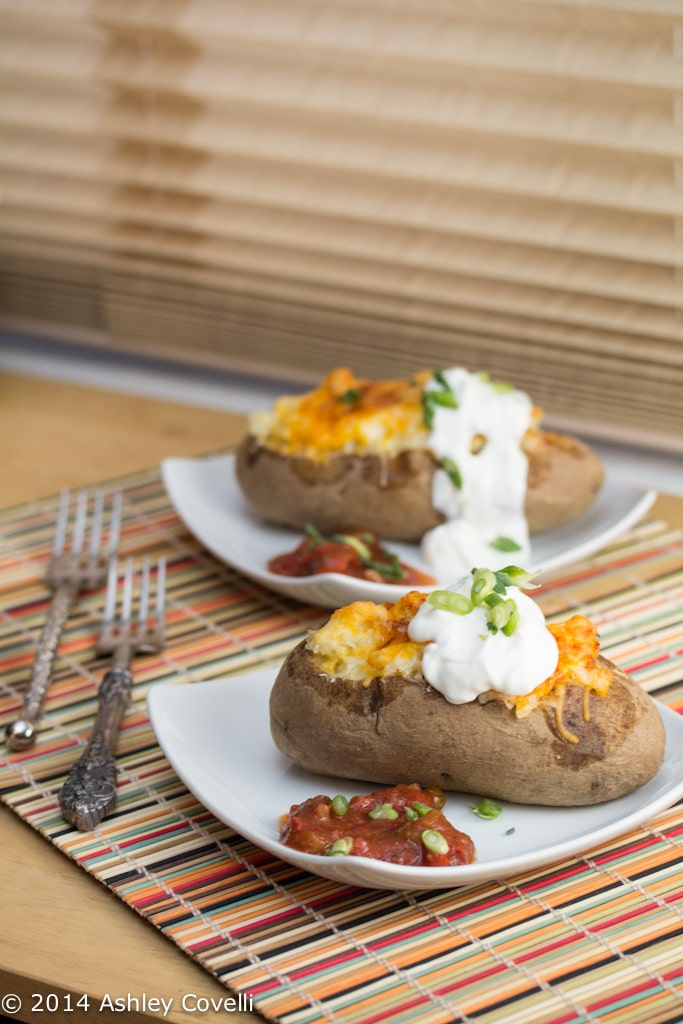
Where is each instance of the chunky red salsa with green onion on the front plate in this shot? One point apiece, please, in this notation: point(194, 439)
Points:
point(403, 826)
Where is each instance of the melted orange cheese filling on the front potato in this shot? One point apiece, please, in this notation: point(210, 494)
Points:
point(365, 642)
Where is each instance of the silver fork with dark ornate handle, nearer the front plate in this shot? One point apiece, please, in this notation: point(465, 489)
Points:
point(90, 792)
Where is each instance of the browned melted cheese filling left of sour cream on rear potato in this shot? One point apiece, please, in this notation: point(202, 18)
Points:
point(347, 415)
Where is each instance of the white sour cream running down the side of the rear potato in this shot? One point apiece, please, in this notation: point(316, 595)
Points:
point(483, 498)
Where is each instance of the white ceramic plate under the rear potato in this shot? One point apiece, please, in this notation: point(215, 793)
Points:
point(206, 496)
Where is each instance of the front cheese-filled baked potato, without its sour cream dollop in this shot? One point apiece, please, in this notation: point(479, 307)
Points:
point(353, 701)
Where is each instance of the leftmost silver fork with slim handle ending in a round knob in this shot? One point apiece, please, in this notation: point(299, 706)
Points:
point(74, 567)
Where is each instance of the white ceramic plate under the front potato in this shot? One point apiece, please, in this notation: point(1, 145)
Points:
point(218, 739)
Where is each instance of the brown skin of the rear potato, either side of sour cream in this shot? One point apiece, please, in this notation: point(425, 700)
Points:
point(392, 496)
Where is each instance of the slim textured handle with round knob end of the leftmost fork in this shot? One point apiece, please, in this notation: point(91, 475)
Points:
point(21, 734)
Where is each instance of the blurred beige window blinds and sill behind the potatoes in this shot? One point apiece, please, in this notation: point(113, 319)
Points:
point(221, 200)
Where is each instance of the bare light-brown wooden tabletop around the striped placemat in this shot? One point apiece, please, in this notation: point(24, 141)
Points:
point(64, 932)
